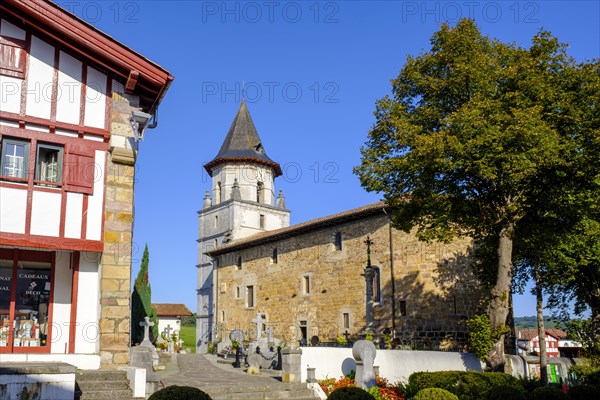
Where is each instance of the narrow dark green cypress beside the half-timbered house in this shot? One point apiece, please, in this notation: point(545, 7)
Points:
point(141, 303)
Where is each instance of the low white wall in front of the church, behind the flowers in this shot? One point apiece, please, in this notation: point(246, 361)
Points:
point(394, 365)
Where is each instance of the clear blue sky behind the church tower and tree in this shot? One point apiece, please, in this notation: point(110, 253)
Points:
point(312, 73)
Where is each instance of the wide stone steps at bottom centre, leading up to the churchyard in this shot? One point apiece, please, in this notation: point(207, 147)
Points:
point(276, 391)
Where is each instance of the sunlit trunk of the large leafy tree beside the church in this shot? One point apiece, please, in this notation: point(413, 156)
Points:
point(499, 303)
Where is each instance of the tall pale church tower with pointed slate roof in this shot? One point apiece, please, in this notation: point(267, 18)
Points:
point(240, 203)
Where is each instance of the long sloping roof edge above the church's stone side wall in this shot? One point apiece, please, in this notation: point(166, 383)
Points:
point(304, 227)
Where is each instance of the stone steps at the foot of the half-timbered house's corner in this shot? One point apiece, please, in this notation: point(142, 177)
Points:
point(102, 385)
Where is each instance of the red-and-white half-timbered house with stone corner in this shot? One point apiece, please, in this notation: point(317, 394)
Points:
point(68, 148)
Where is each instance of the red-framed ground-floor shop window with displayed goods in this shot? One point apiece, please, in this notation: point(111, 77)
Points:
point(25, 323)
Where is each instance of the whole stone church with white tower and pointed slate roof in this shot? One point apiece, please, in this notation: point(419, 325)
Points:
point(339, 277)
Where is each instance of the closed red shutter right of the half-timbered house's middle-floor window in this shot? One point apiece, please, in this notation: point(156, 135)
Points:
point(80, 169)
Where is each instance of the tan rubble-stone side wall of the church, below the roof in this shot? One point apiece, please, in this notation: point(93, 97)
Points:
point(434, 286)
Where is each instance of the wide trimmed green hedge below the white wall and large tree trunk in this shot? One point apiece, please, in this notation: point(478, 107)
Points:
point(467, 385)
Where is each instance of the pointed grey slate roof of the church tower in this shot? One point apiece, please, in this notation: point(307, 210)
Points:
point(242, 144)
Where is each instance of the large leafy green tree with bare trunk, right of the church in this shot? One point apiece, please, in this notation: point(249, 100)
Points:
point(468, 143)
